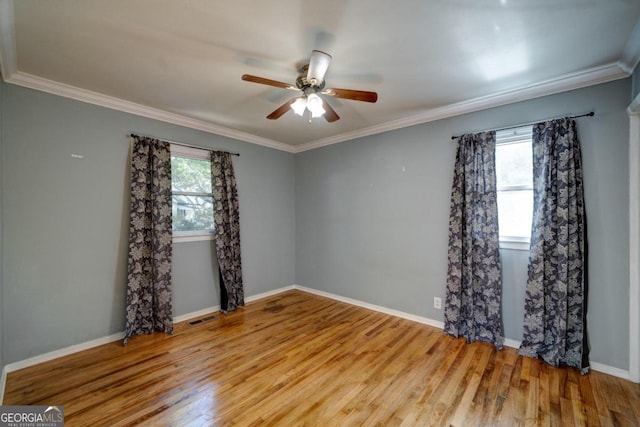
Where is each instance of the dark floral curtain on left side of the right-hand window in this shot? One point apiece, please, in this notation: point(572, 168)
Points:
point(474, 282)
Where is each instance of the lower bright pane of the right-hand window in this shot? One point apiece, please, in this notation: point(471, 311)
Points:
point(515, 210)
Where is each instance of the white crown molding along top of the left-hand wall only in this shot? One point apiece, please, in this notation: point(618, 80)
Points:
point(83, 95)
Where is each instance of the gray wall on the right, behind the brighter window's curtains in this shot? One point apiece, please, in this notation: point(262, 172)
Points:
point(372, 214)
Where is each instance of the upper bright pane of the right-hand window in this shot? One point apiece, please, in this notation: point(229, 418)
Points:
point(514, 164)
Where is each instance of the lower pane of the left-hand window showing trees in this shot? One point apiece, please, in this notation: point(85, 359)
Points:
point(192, 213)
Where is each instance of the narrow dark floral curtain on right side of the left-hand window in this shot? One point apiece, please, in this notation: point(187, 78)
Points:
point(227, 230)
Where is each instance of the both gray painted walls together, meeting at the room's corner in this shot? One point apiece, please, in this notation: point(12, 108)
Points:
point(365, 219)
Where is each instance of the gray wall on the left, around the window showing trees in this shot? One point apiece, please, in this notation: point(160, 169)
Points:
point(66, 221)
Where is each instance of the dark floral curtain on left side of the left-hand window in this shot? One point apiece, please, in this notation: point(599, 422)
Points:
point(149, 305)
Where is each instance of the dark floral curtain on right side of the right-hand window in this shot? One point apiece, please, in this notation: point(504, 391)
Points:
point(555, 305)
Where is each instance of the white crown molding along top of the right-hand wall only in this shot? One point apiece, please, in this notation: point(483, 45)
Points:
point(579, 80)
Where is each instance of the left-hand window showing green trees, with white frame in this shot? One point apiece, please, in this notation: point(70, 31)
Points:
point(192, 195)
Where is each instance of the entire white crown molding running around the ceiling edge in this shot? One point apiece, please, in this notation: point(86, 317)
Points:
point(603, 74)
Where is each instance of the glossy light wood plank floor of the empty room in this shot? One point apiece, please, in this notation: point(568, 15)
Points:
point(298, 359)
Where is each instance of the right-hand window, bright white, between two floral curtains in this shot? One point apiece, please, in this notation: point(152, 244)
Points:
point(514, 179)
